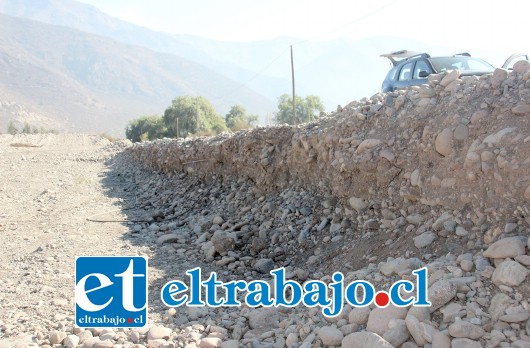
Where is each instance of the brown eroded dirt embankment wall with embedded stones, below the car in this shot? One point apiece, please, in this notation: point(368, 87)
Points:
point(459, 142)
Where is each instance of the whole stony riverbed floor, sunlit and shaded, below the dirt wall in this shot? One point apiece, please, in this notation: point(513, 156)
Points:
point(55, 189)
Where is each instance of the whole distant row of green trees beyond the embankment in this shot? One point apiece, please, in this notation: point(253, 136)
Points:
point(196, 116)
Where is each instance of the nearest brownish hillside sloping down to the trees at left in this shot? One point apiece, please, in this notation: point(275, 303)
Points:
point(92, 83)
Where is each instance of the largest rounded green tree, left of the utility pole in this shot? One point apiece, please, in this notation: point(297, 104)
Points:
point(189, 115)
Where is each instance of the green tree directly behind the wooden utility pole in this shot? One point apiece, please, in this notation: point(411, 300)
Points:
point(307, 110)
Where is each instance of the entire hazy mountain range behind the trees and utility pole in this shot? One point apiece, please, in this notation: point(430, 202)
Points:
point(88, 71)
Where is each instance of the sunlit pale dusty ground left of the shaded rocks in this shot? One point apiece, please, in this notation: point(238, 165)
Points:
point(49, 186)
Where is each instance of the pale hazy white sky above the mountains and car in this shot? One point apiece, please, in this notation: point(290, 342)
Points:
point(493, 28)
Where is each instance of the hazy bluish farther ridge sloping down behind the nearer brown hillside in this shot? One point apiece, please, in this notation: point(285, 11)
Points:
point(87, 18)
